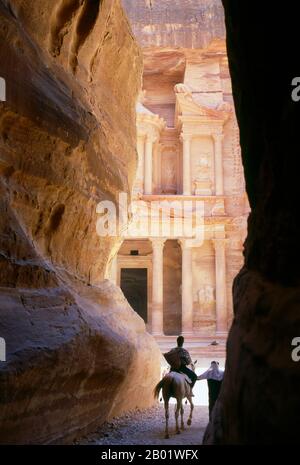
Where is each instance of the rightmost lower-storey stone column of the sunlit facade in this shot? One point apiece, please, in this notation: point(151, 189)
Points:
point(221, 300)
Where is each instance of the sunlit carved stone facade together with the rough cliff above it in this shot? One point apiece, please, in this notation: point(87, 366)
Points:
point(189, 157)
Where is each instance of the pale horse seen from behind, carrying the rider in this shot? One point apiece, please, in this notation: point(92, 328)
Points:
point(175, 385)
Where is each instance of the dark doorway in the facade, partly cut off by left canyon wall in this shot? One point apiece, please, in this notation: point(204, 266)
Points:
point(134, 287)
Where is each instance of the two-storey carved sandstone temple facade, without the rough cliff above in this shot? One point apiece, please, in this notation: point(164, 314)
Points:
point(188, 150)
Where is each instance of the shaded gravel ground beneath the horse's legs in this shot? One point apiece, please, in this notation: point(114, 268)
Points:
point(147, 427)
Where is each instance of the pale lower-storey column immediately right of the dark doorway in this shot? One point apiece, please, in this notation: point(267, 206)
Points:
point(157, 286)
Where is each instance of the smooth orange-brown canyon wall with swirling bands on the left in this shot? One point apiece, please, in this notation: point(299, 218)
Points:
point(77, 354)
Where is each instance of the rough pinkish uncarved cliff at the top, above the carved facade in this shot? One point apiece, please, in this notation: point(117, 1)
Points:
point(176, 23)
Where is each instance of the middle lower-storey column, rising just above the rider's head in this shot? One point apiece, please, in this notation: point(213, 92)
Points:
point(187, 288)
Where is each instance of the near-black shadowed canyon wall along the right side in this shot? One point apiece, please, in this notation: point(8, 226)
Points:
point(259, 401)
